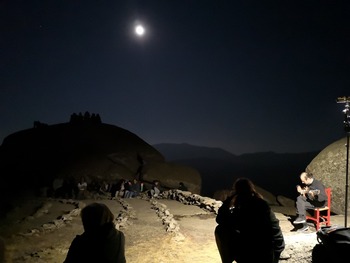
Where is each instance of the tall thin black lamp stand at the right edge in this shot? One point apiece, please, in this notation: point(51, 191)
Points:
point(346, 112)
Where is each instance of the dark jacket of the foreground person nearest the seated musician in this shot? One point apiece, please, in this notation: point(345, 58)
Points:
point(258, 235)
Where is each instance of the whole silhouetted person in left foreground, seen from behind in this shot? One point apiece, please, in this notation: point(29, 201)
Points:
point(101, 241)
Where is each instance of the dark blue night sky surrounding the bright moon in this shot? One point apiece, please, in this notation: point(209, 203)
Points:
point(245, 76)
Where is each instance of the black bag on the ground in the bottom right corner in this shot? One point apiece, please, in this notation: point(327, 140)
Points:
point(333, 241)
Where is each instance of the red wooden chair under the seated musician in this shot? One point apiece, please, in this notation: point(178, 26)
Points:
point(322, 215)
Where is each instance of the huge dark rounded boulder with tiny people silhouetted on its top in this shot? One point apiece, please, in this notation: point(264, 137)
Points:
point(81, 147)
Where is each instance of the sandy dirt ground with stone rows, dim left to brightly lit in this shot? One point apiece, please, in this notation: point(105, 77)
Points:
point(41, 230)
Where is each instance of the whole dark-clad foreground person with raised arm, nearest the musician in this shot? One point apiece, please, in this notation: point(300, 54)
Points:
point(248, 230)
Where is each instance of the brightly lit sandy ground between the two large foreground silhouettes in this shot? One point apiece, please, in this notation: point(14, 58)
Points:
point(195, 242)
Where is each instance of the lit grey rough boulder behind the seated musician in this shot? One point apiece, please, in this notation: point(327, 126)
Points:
point(330, 167)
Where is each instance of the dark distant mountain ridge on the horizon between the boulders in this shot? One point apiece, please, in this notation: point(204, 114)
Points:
point(275, 172)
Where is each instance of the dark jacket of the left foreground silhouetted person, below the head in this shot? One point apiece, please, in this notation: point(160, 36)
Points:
point(105, 245)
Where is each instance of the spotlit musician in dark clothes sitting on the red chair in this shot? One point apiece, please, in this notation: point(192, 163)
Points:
point(312, 194)
